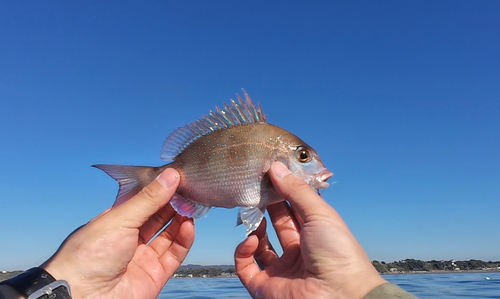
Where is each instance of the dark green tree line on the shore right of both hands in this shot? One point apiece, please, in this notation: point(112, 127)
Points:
point(412, 265)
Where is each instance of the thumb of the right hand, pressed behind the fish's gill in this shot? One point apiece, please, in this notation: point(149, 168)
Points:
point(302, 197)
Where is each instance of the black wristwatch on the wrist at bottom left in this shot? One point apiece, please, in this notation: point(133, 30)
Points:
point(36, 283)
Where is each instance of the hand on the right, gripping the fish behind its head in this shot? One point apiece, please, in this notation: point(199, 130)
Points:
point(321, 258)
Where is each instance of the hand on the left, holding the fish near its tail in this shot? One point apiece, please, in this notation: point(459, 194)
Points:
point(108, 257)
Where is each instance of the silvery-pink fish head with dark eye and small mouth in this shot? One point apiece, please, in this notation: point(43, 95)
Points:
point(305, 162)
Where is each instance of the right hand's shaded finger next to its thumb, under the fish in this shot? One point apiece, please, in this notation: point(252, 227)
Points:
point(285, 224)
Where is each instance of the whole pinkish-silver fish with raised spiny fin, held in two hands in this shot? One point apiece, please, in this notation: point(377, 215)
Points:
point(223, 159)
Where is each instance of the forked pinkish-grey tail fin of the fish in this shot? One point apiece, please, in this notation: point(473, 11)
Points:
point(130, 178)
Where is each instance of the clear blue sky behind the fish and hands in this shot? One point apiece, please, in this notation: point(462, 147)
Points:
point(400, 99)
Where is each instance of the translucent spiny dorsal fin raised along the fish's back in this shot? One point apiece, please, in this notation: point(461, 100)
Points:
point(243, 112)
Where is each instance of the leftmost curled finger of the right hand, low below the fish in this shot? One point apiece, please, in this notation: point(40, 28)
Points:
point(244, 264)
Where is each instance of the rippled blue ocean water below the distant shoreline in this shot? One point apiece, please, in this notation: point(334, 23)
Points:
point(437, 286)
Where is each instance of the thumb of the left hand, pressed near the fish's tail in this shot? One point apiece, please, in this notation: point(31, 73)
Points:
point(137, 210)
